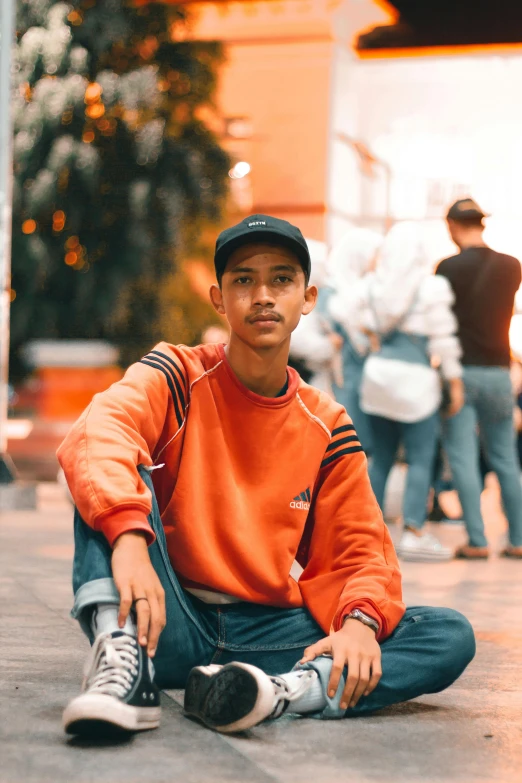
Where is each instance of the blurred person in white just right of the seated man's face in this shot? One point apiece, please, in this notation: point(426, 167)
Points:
point(315, 346)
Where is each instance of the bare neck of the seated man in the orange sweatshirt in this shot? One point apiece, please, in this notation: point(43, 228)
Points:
point(263, 371)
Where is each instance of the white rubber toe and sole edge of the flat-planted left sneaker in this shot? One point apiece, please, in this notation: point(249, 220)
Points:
point(90, 709)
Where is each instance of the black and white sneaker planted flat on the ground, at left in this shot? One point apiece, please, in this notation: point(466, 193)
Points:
point(118, 691)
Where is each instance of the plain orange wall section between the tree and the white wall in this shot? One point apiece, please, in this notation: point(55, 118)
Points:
point(284, 90)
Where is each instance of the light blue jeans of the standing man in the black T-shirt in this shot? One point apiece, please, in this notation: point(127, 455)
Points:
point(488, 409)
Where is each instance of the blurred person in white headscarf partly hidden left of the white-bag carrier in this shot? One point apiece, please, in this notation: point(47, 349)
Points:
point(350, 261)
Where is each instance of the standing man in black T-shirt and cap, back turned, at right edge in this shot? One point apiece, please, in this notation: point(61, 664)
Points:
point(485, 283)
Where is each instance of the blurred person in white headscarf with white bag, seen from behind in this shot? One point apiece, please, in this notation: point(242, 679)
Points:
point(406, 312)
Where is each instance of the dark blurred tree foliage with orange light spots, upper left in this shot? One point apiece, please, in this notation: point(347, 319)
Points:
point(116, 169)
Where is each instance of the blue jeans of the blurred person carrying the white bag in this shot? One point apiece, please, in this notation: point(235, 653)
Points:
point(420, 443)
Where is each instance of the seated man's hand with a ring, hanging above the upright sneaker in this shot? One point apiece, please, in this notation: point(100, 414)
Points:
point(136, 578)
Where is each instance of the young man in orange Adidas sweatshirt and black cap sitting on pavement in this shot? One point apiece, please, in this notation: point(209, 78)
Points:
point(199, 480)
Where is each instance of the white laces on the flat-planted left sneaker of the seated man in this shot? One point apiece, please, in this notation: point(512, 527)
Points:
point(112, 666)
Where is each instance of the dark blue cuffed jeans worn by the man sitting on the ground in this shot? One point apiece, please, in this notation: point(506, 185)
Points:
point(430, 648)
